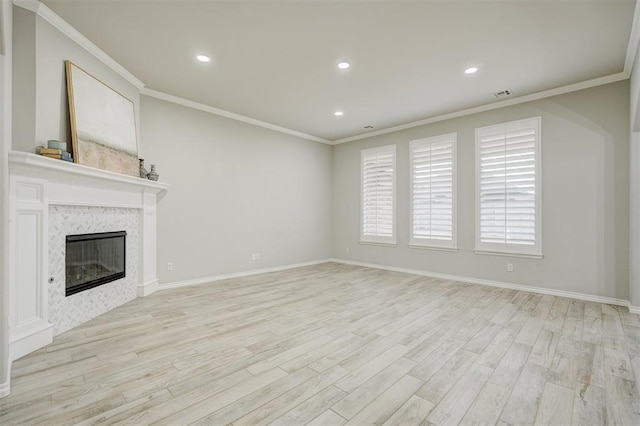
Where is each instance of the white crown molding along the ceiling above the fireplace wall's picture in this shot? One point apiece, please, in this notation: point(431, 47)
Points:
point(64, 27)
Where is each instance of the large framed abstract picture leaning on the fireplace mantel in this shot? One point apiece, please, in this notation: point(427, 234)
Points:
point(103, 124)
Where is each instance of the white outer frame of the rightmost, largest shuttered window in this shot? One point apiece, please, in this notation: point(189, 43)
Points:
point(506, 249)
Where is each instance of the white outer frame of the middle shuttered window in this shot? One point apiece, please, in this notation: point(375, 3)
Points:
point(429, 243)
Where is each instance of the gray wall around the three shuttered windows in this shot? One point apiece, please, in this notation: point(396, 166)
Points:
point(585, 198)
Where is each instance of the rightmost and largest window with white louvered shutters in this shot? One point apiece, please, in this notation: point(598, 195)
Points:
point(508, 188)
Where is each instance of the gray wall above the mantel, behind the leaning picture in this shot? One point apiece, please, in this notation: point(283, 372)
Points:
point(42, 112)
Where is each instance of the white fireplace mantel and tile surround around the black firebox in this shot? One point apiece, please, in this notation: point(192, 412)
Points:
point(50, 199)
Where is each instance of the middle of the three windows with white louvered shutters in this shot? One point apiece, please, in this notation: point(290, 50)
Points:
point(433, 197)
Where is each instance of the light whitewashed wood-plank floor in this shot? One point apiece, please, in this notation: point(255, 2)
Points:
point(334, 344)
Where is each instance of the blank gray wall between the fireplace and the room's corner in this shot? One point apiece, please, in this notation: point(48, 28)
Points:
point(236, 189)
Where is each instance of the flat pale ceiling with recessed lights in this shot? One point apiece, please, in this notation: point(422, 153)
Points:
point(275, 61)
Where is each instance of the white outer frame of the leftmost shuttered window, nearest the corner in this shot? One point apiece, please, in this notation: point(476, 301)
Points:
point(376, 239)
